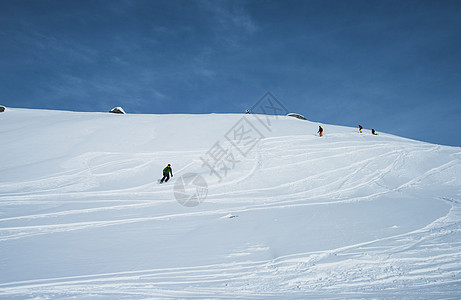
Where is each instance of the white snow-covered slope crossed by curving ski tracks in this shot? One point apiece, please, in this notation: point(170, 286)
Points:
point(347, 215)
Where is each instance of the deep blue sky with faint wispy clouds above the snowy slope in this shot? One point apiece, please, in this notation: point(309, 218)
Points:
point(390, 65)
